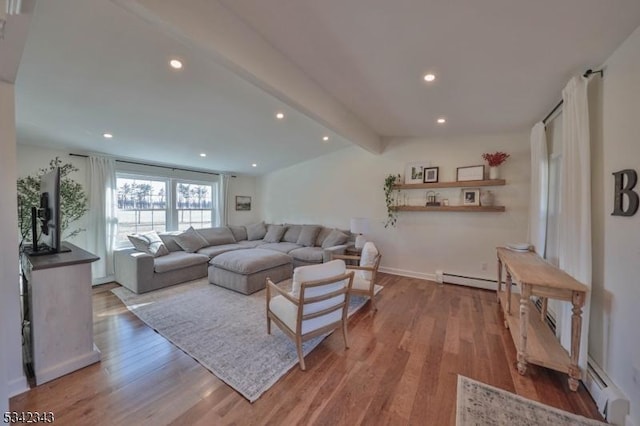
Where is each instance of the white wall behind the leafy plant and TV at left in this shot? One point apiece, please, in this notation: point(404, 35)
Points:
point(32, 158)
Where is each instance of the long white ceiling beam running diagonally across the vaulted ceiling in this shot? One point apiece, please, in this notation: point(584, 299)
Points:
point(213, 29)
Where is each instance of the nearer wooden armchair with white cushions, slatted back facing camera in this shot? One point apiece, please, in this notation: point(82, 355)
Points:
point(317, 304)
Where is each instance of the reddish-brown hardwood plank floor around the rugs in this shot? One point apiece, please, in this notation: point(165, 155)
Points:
point(401, 368)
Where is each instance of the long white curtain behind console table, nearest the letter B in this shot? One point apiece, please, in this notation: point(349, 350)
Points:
point(574, 239)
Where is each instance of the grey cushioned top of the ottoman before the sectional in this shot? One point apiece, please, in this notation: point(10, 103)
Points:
point(250, 261)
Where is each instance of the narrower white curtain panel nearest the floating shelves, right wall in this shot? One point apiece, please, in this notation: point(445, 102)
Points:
point(539, 189)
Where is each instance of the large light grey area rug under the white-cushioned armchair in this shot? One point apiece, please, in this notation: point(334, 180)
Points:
point(224, 331)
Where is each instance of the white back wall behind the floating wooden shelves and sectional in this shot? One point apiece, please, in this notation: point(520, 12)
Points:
point(332, 189)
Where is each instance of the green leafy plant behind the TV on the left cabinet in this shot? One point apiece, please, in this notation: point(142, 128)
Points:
point(73, 200)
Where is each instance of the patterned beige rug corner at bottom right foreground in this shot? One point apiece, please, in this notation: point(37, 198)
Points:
point(479, 404)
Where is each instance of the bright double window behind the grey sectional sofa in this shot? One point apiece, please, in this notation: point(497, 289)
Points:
point(157, 203)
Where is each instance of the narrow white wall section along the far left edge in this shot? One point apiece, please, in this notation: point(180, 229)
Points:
point(12, 379)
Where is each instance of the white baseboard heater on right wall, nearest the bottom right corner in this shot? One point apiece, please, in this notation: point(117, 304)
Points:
point(611, 402)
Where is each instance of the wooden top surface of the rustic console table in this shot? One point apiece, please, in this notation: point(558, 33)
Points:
point(529, 268)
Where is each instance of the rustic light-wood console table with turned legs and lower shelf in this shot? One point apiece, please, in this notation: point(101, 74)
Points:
point(534, 340)
